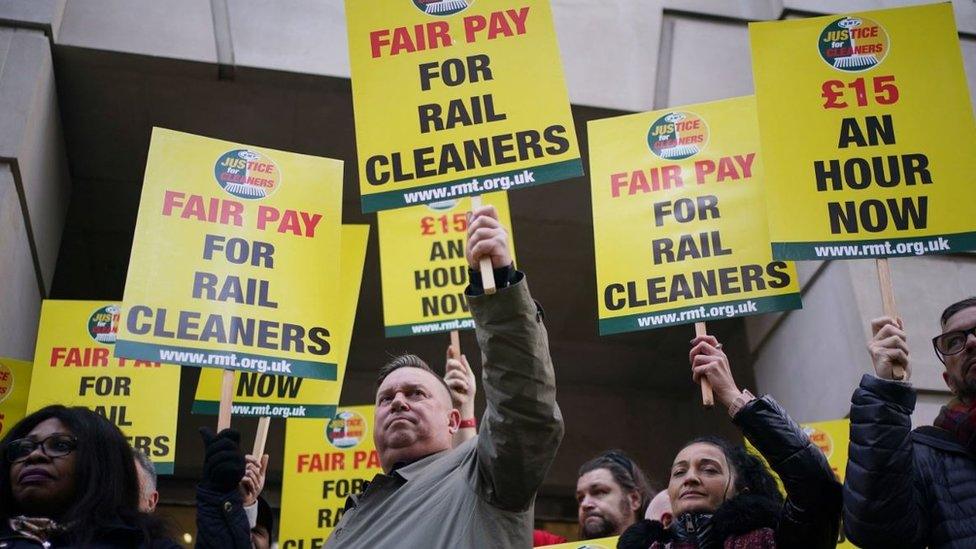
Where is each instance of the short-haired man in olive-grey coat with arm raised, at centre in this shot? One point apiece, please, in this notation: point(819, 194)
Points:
point(481, 493)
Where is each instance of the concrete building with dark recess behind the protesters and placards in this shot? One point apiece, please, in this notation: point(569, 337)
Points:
point(82, 82)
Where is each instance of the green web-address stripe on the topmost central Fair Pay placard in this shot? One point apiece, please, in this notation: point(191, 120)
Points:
point(546, 173)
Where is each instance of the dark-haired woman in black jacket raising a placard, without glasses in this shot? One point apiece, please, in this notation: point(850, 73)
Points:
point(723, 496)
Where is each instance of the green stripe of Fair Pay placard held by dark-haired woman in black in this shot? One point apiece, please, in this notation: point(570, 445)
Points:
point(699, 313)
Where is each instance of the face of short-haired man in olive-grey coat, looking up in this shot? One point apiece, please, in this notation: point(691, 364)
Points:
point(414, 417)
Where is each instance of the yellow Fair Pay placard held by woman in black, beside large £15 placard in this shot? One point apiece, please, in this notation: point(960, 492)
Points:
point(678, 218)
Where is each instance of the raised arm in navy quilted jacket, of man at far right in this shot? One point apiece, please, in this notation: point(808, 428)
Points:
point(883, 502)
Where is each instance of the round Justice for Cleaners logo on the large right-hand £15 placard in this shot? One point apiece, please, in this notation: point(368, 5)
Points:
point(853, 44)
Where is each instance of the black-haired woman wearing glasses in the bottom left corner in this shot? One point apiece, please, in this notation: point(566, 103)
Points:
point(67, 479)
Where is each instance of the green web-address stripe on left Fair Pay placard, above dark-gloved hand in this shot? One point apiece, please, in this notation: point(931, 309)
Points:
point(226, 360)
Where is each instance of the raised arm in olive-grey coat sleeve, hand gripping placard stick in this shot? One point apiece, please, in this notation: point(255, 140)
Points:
point(522, 427)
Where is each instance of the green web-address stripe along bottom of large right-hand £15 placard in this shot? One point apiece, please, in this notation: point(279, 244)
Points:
point(877, 247)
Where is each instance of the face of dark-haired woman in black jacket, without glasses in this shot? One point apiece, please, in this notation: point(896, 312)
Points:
point(701, 479)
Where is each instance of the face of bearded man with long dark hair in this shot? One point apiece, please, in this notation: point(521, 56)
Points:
point(604, 508)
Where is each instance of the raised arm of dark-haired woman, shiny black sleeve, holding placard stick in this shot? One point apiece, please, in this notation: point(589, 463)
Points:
point(811, 514)
